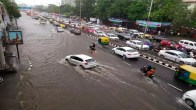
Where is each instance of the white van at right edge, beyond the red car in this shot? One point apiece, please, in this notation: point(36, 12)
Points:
point(188, 44)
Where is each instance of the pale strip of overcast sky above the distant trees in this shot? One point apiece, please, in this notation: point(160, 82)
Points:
point(38, 2)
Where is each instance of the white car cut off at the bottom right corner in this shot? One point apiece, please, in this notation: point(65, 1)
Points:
point(190, 98)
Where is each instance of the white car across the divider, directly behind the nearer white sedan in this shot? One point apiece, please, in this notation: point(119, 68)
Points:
point(137, 44)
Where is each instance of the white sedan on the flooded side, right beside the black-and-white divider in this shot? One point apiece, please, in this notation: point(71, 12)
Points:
point(126, 52)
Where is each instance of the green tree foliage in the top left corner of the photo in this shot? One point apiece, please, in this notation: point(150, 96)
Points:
point(11, 8)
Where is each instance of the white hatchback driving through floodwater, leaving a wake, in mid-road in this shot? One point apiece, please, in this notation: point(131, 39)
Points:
point(81, 60)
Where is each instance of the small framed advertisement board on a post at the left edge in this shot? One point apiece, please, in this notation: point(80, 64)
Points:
point(15, 37)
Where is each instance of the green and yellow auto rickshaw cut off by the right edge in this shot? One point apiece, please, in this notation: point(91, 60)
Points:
point(186, 73)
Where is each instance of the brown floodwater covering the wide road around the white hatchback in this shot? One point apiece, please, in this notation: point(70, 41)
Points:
point(48, 82)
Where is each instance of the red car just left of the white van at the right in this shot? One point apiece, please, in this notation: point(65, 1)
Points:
point(170, 43)
